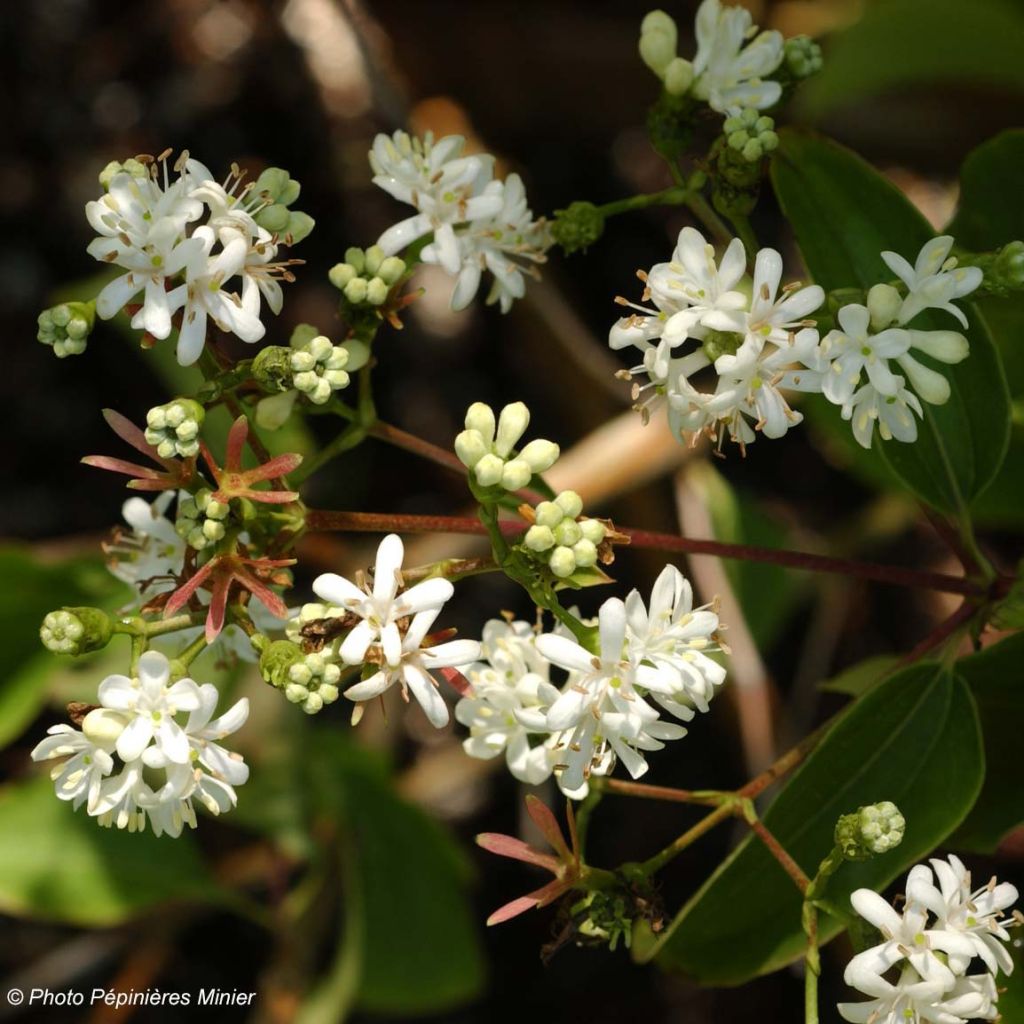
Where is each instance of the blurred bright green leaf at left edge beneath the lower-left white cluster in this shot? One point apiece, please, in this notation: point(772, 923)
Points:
point(58, 865)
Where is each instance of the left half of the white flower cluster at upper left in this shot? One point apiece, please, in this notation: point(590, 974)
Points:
point(142, 223)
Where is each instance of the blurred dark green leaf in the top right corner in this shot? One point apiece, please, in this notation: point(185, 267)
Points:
point(976, 45)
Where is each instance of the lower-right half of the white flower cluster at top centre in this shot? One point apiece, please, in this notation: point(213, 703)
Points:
point(508, 244)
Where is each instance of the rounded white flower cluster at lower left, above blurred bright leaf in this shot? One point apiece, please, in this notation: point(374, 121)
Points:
point(138, 736)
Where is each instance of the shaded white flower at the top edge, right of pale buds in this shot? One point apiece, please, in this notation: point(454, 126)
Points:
point(729, 75)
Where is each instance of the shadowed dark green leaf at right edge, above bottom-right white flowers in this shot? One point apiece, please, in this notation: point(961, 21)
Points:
point(998, 685)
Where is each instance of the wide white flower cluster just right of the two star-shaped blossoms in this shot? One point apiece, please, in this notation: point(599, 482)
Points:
point(609, 708)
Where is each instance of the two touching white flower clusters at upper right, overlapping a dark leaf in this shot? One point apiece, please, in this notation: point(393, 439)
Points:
point(761, 344)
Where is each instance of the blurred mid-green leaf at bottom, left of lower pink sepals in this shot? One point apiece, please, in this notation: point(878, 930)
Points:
point(417, 946)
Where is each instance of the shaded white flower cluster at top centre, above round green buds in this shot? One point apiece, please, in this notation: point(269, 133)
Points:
point(478, 223)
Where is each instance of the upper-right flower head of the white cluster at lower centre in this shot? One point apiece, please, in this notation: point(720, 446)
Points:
point(670, 644)
